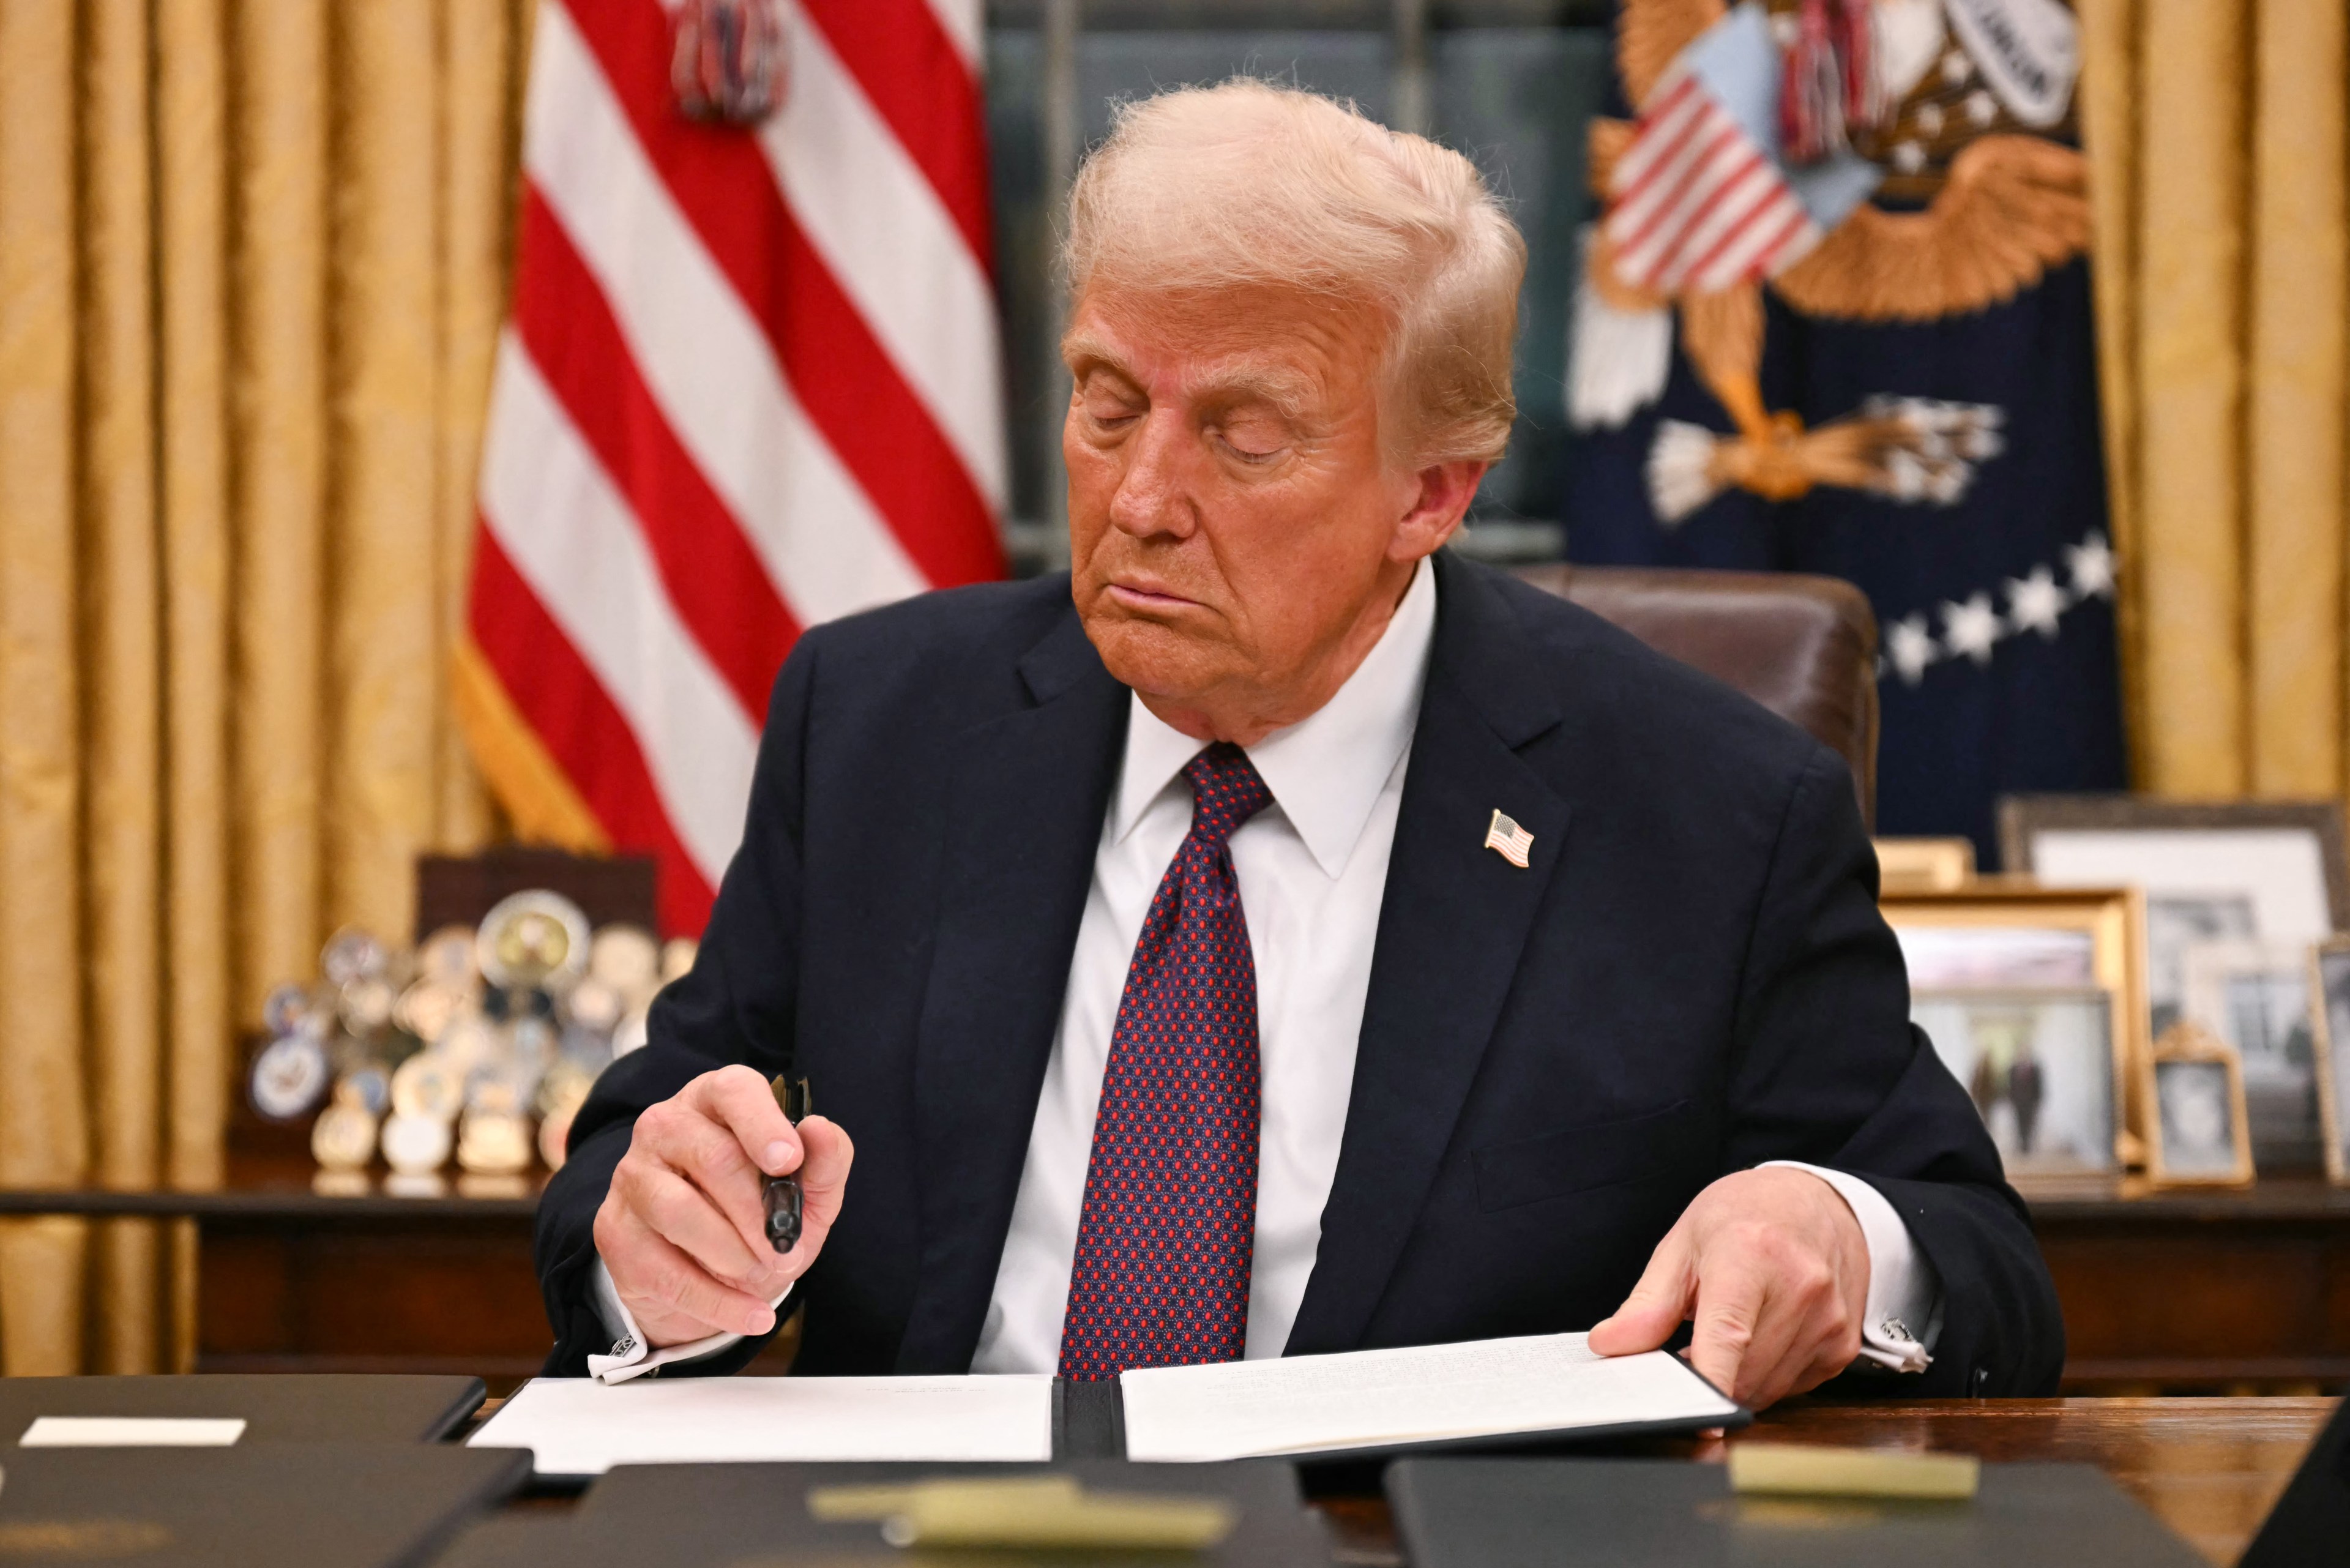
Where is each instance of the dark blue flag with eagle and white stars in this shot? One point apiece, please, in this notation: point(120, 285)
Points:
point(1942, 417)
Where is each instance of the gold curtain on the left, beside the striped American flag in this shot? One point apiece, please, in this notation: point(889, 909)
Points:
point(253, 264)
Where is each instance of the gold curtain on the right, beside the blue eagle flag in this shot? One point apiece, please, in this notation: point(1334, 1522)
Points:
point(2222, 170)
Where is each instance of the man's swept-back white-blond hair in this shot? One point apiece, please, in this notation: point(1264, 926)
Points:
point(1263, 185)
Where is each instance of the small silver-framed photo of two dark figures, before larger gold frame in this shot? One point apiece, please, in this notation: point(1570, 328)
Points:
point(2041, 1071)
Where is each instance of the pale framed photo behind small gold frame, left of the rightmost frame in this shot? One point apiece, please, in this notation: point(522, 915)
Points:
point(2257, 1000)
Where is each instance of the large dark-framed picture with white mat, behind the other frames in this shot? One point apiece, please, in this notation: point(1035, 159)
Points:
point(2238, 871)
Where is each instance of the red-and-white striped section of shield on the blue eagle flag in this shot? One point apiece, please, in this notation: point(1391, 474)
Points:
point(1696, 206)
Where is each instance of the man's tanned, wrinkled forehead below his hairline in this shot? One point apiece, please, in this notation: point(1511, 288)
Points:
point(1301, 351)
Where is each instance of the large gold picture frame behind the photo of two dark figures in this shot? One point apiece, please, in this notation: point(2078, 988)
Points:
point(2114, 920)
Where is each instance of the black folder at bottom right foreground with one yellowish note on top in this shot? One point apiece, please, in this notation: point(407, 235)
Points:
point(1637, 1513)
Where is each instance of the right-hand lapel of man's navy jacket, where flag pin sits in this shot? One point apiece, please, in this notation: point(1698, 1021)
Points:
point(1451, 930)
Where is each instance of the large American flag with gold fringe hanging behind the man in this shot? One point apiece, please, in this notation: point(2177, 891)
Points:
point(748, 387)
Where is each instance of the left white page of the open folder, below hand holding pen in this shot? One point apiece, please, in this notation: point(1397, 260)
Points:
point(584, 1428)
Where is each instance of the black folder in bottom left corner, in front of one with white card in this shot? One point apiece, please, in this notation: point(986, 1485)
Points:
point(267, 1506)
